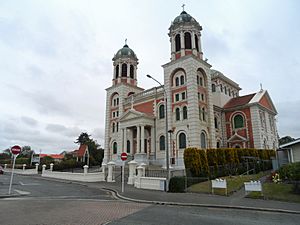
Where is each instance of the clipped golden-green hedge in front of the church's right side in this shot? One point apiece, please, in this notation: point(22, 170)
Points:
point(225, 161)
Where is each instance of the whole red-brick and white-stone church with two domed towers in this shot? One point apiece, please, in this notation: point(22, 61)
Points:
point(196, 106)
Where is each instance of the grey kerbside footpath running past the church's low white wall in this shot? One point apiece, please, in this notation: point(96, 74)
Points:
point(235, 201)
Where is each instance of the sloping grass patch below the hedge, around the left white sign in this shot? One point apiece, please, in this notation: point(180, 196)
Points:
point(234, 183)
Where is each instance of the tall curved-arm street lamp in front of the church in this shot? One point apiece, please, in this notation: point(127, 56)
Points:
point(166, 136)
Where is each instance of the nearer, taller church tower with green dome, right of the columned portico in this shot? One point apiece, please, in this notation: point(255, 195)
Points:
point(187, 81)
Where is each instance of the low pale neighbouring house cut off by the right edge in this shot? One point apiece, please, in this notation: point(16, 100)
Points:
point(289, 152)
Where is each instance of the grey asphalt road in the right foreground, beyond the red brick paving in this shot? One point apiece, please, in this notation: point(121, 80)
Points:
point(174, 215)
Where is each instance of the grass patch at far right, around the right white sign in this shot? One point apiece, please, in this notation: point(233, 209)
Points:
point(281, 192)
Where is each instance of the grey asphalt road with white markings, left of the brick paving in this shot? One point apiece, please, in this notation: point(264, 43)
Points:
point(44, 188)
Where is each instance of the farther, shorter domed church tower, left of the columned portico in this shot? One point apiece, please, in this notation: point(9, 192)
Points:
point(124, 84)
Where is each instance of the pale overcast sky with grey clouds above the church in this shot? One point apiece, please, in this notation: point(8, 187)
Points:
point(56, 59)
